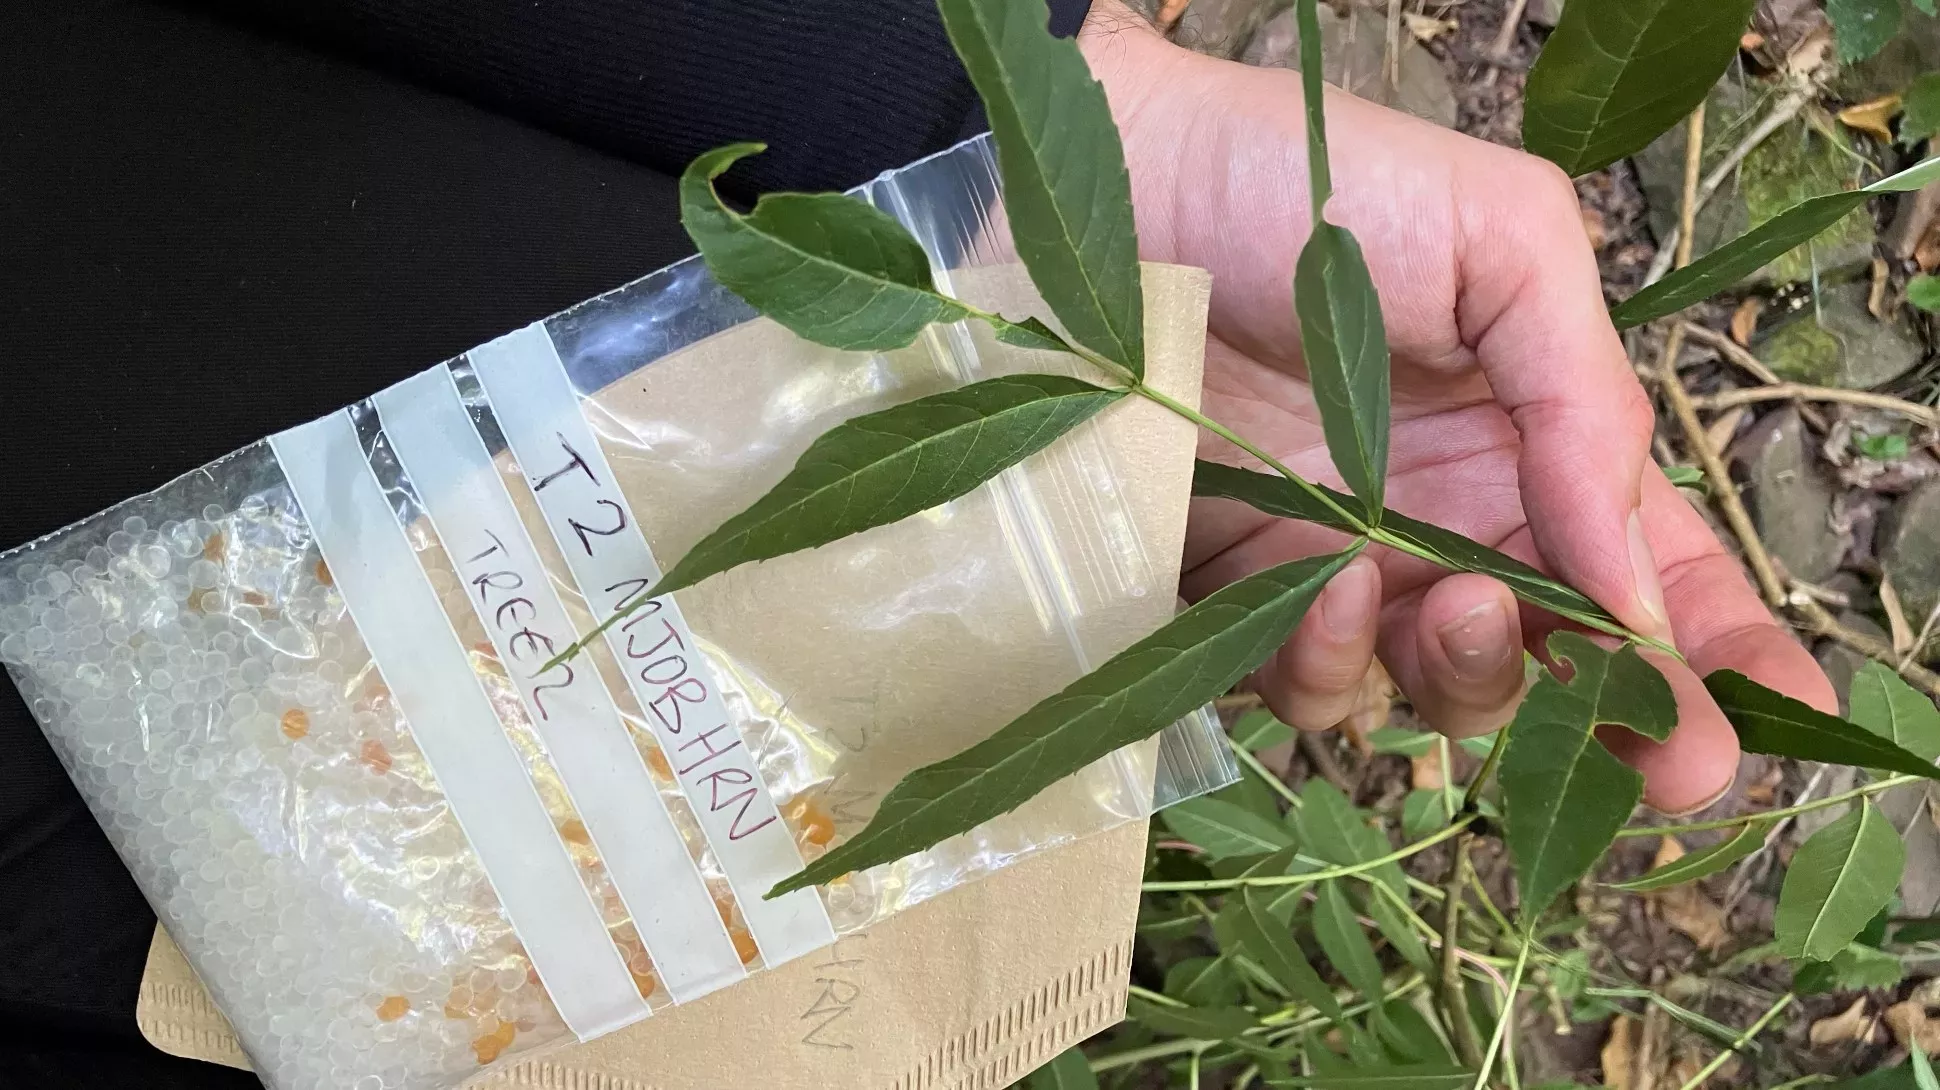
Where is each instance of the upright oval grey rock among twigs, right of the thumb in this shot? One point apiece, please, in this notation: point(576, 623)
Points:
point(1792, 497)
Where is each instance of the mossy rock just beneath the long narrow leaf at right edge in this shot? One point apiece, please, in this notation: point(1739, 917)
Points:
point(1842, 344)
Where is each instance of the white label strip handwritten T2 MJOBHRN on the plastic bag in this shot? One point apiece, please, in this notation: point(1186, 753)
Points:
point(664, 666)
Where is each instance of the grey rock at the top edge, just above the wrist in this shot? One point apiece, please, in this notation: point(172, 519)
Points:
point(1353, 49)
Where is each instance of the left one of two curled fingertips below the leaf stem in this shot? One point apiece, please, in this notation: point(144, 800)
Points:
point(1314, 682)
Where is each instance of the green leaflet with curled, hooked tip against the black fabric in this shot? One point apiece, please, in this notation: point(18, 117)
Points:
point(831, 269)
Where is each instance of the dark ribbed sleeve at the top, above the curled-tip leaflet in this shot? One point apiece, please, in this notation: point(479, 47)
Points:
point(839, 90)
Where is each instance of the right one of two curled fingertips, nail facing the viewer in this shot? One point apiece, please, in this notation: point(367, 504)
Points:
point(1458, 653)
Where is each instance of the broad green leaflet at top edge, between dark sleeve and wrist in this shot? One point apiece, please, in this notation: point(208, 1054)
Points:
point(1066, 191)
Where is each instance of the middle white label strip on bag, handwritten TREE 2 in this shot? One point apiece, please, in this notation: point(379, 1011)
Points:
point(571, 709)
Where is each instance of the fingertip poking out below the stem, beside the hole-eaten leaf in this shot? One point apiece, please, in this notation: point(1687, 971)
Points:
point(1698, 763)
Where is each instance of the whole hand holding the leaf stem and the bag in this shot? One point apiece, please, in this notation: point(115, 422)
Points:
point(1516, 414)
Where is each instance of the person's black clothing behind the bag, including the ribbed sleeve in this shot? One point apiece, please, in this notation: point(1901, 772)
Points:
point(220, 220)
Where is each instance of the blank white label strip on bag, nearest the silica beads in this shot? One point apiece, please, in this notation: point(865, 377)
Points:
point(455, 724)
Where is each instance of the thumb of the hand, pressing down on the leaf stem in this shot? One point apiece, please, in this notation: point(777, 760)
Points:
point(1534, 309)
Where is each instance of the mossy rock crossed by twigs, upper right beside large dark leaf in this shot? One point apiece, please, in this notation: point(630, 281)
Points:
point(1788, 168)
